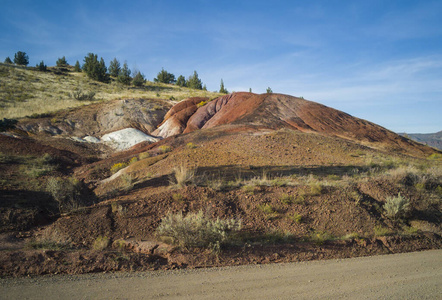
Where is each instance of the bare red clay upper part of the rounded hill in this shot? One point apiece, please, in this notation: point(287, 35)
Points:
point(276, 111)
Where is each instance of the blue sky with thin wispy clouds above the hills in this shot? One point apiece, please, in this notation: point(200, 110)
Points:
point(376, 60)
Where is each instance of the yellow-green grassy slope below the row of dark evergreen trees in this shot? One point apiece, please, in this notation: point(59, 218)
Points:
point(25, 91)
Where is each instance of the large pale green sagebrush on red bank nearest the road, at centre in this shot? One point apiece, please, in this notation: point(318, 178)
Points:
point(197, 230)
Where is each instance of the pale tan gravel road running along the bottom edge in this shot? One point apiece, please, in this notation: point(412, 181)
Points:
point(400, 276)
